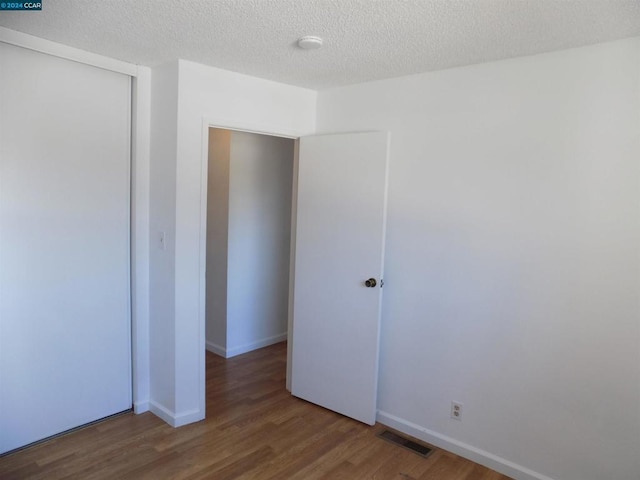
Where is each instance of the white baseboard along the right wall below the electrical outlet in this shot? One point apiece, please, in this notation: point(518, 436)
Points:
point(472, 453)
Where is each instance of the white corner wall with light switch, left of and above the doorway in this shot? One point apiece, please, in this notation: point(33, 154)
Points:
point(186, 98)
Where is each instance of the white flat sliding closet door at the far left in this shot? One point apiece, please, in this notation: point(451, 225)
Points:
point(64, 245)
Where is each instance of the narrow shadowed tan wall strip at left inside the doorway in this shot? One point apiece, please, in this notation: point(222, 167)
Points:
point(217, 239)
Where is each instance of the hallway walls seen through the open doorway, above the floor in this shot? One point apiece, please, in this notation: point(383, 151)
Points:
point(248, 240)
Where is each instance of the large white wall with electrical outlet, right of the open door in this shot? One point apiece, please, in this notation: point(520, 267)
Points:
point(512, 258)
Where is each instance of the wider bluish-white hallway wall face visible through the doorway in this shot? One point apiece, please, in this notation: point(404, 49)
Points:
point(259, 239)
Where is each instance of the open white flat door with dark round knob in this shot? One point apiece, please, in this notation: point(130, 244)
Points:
point(339, 245)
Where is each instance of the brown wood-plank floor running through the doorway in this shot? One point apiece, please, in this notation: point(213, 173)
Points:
point(254, 430)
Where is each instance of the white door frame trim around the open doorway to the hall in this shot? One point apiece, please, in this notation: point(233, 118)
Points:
point(247, 127)
